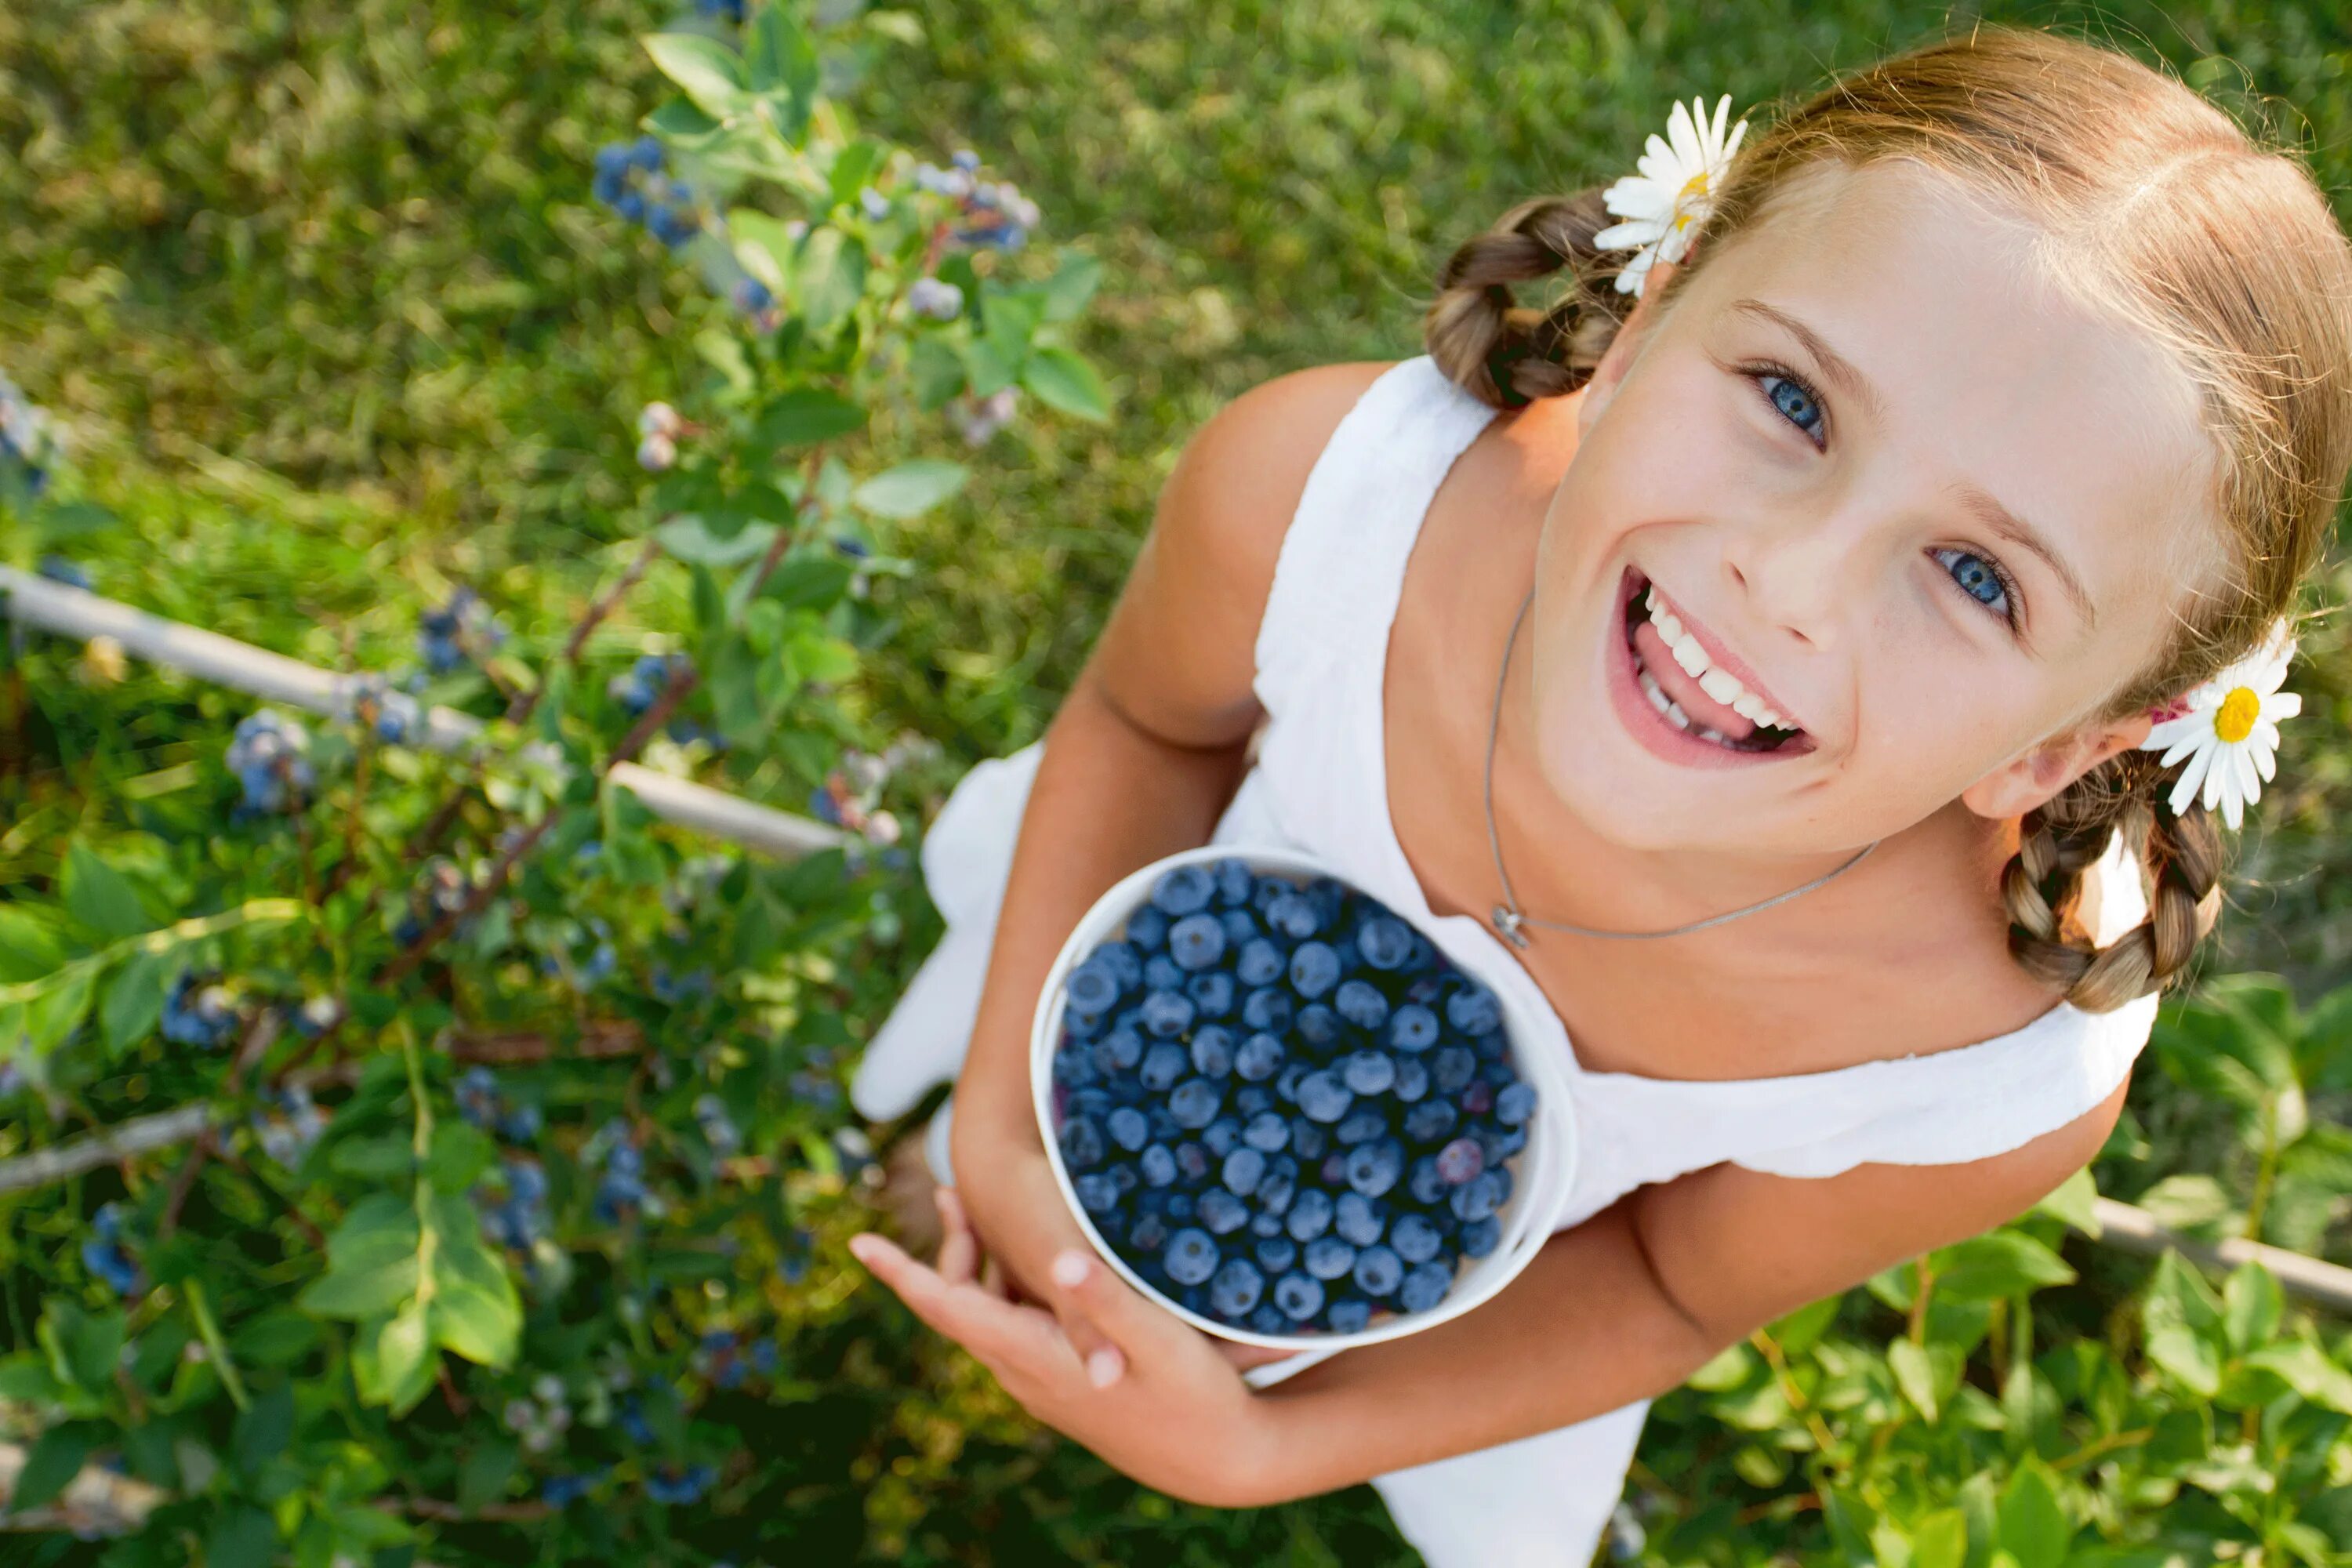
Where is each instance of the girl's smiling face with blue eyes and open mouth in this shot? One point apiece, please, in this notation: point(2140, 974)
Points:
point(1876, 478)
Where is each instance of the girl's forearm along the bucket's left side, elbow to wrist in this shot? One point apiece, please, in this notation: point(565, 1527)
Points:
point(1107, 800)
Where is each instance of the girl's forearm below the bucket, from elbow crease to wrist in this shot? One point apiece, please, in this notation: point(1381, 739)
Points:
point(1582, 1332)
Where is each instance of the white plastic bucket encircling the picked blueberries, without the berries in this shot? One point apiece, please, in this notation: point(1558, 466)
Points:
point(1544, 1172)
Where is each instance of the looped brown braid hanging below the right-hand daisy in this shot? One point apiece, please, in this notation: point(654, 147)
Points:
point(2043, 883)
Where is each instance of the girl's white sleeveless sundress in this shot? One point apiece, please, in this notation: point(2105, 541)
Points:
point(1321, 784)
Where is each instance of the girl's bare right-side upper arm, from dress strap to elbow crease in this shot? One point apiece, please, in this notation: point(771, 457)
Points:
point(1737, 1249)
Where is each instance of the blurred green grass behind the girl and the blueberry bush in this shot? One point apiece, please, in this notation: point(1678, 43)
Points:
point(333, 319)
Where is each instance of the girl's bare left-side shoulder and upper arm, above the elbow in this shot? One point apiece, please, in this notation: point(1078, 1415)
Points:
point(1180, 650)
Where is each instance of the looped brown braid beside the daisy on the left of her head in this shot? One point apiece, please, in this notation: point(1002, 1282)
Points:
point(1509, 354)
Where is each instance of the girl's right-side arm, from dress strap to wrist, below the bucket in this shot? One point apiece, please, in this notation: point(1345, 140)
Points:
point(1633, 1301)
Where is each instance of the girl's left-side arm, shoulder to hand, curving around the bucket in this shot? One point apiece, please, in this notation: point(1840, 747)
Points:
point(1137, 765)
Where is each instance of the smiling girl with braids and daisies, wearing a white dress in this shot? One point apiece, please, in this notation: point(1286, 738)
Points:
point(1810, 622)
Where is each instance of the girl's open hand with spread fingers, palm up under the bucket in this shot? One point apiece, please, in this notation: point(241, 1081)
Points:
point(1175, 1414)
